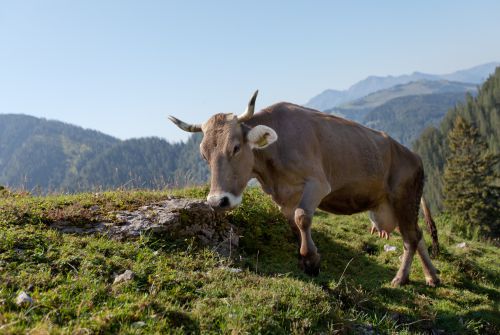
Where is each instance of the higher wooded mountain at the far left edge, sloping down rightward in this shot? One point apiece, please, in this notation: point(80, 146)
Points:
point(37, 152)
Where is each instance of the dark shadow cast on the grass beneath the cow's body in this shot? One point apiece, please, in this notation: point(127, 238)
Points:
point(357, 281)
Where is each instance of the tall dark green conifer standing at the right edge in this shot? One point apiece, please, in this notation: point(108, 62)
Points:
point(470, 182)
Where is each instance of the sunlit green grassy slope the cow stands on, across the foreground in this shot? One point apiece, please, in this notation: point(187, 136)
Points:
point(180, 287)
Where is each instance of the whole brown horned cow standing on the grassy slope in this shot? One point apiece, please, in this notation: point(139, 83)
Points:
point(305, 160)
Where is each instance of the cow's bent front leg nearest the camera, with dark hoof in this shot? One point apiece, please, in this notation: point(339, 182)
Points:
point(314, 192)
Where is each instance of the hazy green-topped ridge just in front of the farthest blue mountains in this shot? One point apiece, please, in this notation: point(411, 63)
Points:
point(356, 110)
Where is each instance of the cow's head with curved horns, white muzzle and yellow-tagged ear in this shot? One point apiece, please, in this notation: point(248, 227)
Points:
point(227, 146)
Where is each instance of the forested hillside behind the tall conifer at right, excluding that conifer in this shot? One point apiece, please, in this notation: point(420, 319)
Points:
point(482, 112)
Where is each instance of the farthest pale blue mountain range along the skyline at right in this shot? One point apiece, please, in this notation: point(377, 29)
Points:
point(332, 98)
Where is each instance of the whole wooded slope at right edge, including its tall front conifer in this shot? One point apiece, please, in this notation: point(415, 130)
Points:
point(461, 160)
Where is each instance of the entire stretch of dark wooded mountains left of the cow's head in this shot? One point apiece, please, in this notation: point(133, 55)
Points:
point(55, 156)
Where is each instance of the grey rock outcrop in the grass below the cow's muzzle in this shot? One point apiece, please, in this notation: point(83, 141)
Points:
point(175, 218)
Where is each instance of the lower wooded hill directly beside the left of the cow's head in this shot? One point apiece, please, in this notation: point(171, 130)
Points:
point(144, 163)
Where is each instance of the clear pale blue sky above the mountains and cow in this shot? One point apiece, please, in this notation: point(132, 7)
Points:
point(121, 67)
